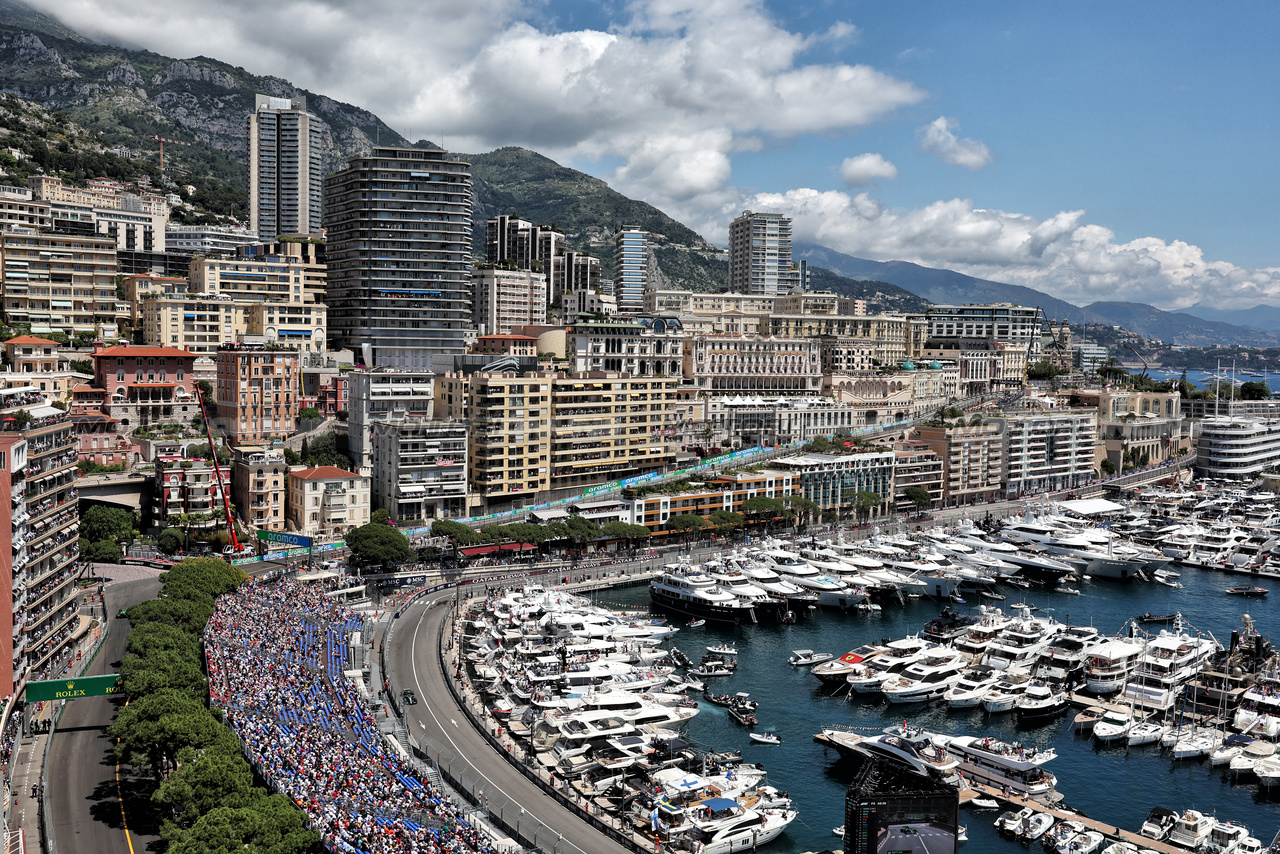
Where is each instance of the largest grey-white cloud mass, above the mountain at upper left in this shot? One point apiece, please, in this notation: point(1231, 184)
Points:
point(671, 90)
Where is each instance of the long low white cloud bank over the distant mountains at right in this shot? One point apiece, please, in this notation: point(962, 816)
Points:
point(1062, 255)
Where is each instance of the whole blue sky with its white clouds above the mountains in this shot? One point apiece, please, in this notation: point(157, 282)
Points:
point(1119, 152)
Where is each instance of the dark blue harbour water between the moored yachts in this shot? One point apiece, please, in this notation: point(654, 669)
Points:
point(1117, 786)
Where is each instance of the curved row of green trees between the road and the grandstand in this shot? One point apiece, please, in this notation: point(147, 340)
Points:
point(207, 792)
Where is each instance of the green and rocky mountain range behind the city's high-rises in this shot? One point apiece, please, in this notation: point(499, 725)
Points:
point(124, 97)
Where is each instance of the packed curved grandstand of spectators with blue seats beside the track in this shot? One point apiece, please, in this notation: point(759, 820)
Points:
point(276, 661)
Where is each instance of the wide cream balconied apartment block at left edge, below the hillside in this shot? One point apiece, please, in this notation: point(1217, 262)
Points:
point(61, 284)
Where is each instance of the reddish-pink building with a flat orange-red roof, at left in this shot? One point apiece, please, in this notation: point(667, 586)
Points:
point(147, 386)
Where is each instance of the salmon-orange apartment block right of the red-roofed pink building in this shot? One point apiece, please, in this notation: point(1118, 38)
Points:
point(258, 391)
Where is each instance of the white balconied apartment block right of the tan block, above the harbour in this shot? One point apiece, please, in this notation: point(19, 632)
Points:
point(1049, 450)
